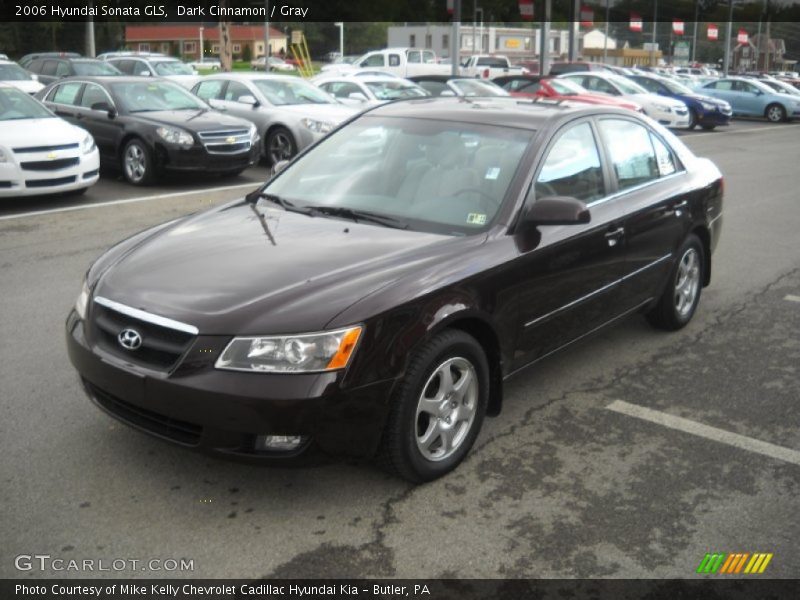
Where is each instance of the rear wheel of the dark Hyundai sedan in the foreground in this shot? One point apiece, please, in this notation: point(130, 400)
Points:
point(678, 303)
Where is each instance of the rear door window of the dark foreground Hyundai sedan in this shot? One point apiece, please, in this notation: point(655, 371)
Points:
point(631, 152)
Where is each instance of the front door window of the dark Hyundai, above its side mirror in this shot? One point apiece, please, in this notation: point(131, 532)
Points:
point(572, 167)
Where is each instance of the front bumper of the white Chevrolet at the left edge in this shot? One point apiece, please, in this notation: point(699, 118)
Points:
point(16, 180)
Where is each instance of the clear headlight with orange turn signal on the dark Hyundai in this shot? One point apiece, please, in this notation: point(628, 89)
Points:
point(323, 351)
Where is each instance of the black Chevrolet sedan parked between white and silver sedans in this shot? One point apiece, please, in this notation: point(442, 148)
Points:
point(148, 126)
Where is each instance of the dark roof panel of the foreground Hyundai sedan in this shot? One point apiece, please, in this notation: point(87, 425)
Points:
point(504, 111)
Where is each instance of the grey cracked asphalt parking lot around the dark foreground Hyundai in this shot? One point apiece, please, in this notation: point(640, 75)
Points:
point(631, 455)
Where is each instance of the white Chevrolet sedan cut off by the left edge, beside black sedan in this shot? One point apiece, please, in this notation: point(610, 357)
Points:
point(40, 153)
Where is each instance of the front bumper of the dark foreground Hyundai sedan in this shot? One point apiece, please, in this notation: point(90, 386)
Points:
point(223, 412)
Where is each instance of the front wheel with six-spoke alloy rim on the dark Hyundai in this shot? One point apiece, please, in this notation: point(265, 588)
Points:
point(438, 410)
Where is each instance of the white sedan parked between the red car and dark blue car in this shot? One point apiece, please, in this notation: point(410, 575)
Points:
point(667, 111)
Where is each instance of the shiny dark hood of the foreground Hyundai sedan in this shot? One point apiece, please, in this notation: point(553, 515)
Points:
point(229, 272)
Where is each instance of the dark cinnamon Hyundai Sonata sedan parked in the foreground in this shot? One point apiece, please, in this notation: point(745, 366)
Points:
point(374, 295)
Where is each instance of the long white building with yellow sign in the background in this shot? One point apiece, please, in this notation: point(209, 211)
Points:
point(515, 42)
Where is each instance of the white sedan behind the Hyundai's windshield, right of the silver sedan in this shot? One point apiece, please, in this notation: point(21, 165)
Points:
point(368, 91)
